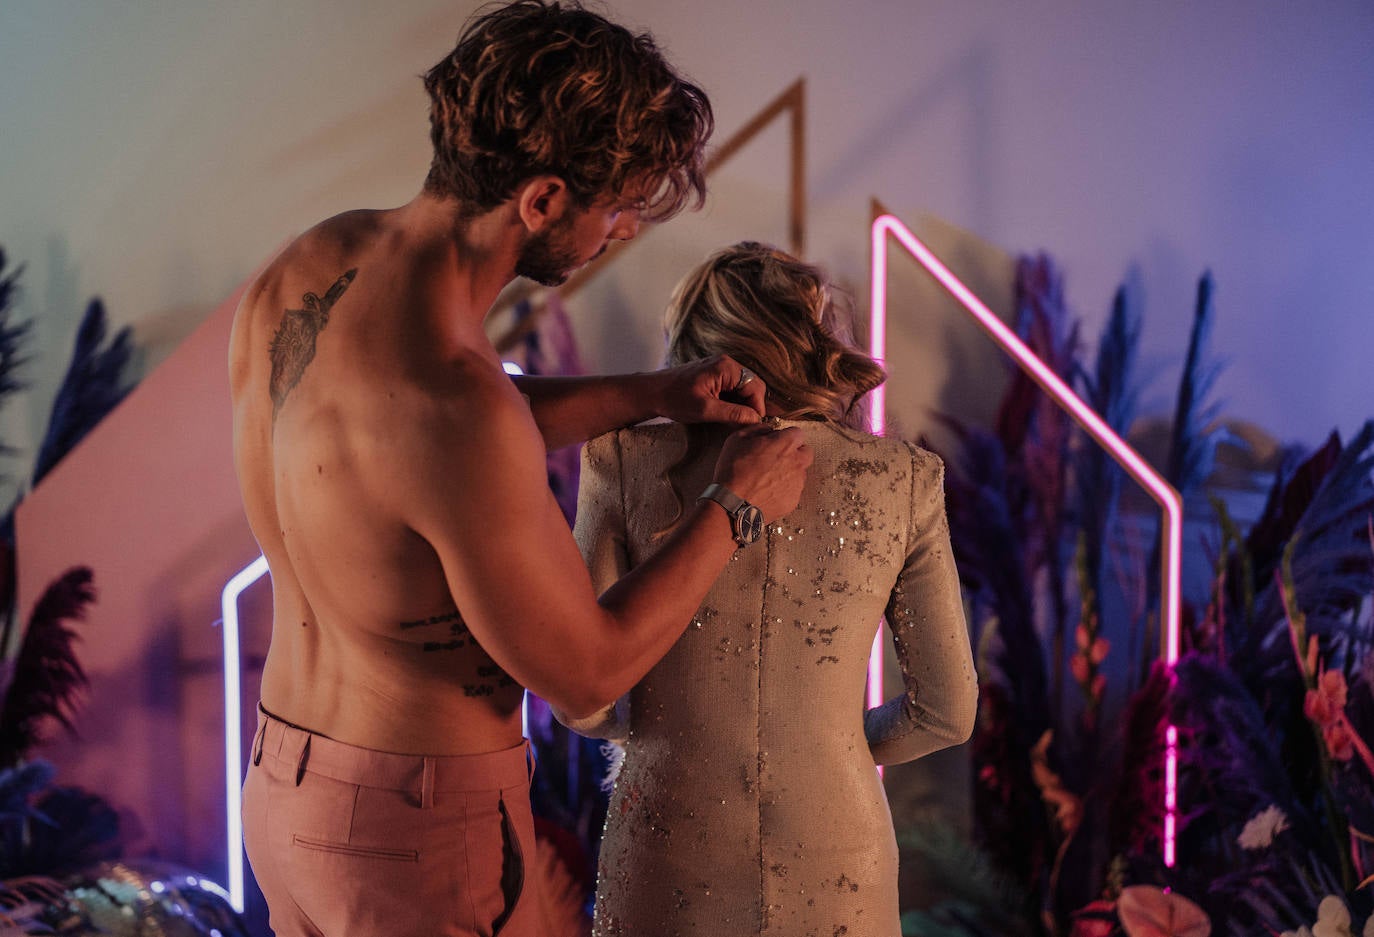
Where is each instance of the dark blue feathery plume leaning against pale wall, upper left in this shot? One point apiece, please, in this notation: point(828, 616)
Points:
point(94, 385)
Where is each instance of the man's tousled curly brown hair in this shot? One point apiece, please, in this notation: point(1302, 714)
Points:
point(543, 87)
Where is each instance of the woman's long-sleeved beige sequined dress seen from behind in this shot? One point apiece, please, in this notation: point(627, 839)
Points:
point(748, 802)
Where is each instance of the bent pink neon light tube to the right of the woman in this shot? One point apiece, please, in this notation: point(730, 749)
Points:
point(1160, 490)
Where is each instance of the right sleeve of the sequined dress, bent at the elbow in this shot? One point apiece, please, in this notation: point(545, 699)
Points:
point(941, 699)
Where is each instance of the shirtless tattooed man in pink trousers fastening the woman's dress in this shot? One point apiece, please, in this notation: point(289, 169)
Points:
point(395, 477)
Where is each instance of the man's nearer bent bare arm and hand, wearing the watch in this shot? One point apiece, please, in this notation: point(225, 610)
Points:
point(472, 482)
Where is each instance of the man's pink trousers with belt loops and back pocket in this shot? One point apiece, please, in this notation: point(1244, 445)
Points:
point(350, 842)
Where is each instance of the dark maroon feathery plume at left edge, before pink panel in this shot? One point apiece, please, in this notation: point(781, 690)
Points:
point(47, 675)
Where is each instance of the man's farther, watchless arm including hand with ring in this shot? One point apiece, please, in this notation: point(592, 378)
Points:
point(579, 409)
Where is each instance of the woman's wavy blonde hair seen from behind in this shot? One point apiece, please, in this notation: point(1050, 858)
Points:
point(782, 319)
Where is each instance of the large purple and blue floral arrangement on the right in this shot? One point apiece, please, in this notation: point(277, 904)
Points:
point(1273, 699)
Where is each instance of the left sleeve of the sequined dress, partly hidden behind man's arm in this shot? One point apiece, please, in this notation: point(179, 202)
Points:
point(600, 531)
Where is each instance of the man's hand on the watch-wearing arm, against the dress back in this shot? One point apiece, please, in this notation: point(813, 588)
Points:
point(765, 466)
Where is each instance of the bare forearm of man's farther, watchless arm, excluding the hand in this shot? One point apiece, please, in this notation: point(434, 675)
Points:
point(575, 410)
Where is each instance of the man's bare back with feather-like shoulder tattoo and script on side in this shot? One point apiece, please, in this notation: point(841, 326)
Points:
point(326, 380)
